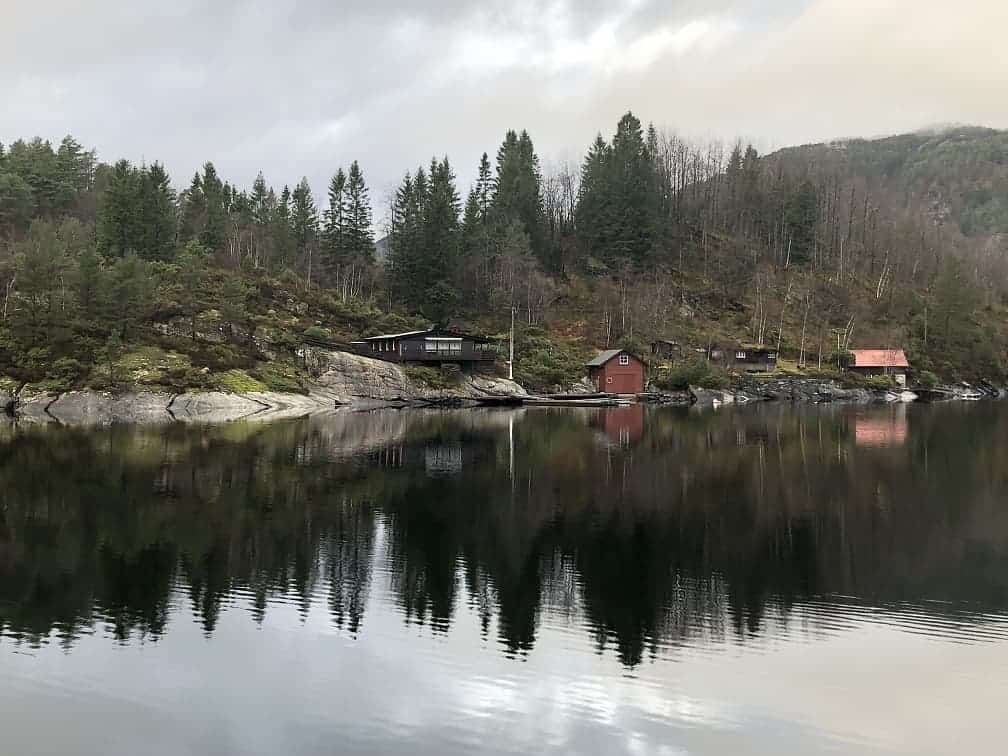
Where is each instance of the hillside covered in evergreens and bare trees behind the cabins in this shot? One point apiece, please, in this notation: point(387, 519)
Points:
point(111, 277)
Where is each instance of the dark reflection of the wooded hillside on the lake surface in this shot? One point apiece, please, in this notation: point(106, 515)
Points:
point(705, 527)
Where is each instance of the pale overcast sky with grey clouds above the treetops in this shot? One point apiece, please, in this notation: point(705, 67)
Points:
point(298, 88)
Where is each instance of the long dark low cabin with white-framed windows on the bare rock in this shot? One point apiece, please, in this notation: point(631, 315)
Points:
point(434, 346)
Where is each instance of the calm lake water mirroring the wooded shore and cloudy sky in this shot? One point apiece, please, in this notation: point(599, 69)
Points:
point(760, 580)
